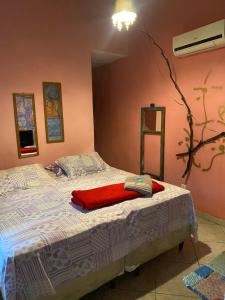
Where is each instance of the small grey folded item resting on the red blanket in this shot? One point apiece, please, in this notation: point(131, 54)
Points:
point(141, 184)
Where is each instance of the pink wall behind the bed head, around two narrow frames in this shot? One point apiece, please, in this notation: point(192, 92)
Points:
point(48, 40)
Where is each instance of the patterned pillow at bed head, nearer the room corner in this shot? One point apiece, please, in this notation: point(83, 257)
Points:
point(83, 164)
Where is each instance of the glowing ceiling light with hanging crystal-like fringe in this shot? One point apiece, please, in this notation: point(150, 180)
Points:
point(124, 14)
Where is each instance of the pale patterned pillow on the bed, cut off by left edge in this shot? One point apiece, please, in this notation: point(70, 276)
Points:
point(25, 177)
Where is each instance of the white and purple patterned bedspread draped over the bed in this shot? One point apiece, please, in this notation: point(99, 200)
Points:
point(45, 240)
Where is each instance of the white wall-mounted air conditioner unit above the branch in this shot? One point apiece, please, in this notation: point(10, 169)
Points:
point(205, 38)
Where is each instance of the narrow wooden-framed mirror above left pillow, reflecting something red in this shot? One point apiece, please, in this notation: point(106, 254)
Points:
point(25, 123)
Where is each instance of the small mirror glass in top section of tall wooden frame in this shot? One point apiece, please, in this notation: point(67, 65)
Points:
point(152, 120)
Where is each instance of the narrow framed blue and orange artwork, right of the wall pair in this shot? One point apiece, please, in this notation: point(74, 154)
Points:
point(52, 94)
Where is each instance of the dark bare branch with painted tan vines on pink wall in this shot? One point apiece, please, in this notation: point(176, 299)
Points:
point(193, 143)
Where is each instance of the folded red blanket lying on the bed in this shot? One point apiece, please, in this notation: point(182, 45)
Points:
point(108, 195)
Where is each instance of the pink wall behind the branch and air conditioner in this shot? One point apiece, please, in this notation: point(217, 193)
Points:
point(122, 88)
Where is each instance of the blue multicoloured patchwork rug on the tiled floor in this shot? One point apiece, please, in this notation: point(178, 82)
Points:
point(208, 281)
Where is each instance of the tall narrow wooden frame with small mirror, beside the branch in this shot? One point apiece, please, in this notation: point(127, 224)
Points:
point(152, 141)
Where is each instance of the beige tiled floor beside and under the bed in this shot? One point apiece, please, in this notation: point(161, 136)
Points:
point(161, 278)
